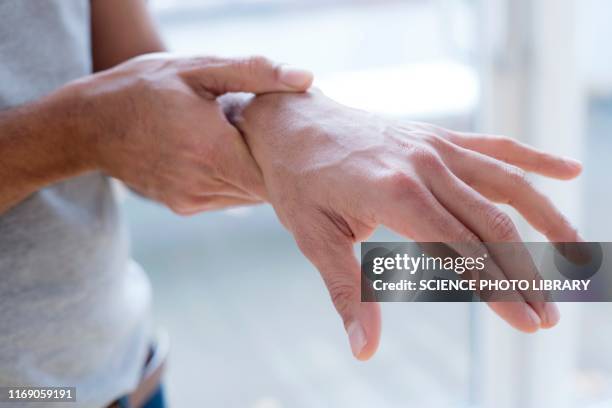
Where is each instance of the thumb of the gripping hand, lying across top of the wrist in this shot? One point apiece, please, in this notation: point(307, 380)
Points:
point(216, 76)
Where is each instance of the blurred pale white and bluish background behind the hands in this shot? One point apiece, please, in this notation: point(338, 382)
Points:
point(250, 321)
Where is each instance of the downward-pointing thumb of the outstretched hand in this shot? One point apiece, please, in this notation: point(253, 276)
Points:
point(342, 275)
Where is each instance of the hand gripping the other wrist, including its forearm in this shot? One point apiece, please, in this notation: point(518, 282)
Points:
point(154, 123)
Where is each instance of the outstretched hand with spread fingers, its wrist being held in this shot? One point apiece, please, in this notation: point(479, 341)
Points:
point(333, 174)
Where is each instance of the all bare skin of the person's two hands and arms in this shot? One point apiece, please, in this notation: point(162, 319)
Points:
point(332, 173)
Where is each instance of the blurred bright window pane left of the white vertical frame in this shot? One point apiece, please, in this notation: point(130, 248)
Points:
point(245, 310)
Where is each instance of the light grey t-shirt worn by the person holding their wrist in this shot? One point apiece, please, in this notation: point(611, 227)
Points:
point(74, 309)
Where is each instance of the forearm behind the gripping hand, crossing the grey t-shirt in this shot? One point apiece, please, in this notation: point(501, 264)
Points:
point(40, 143)
